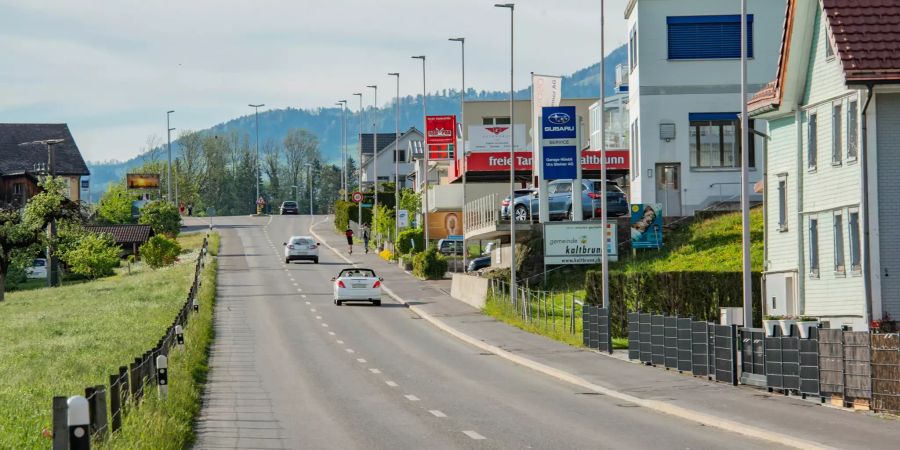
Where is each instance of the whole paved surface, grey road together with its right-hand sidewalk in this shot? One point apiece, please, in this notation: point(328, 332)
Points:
point(291, 370)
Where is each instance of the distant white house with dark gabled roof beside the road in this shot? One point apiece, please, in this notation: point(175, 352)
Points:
point(389, 149)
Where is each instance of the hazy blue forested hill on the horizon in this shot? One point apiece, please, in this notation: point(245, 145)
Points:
point(325, 122)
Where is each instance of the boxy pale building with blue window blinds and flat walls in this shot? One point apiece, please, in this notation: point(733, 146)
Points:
point(684, 98)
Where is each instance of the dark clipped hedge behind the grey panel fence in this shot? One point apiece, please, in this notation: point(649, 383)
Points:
point(697, 295)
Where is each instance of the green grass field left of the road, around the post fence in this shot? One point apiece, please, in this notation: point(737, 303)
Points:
point(57, 341)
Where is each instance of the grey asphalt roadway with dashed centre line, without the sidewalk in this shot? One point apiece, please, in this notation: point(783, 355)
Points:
point(291, 370)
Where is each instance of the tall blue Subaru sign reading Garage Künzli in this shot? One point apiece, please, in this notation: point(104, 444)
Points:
point(559, 139)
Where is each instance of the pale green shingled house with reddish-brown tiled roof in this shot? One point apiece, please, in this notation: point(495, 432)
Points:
point(832, 161)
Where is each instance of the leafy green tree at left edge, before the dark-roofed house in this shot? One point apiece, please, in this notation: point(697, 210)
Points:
point(21, 230)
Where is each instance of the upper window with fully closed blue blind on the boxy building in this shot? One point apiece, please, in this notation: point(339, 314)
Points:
point(708, 37)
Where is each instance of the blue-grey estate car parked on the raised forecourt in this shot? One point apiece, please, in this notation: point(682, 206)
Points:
point(559, 194)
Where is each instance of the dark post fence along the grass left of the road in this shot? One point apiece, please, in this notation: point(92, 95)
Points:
point(107, 405)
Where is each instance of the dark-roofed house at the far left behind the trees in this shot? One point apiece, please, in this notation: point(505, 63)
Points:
point(21, 165)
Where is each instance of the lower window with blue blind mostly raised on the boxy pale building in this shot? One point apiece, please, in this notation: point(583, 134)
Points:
point(715, 141)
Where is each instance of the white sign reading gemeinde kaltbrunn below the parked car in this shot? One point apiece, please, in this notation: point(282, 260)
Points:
point(578, 242)
